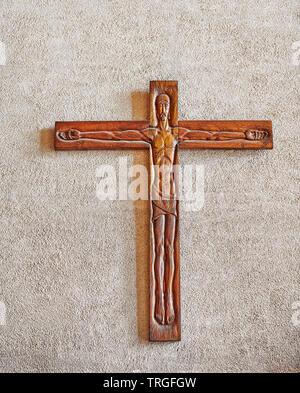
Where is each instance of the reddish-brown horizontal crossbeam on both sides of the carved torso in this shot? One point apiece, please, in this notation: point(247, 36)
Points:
point(88, 134)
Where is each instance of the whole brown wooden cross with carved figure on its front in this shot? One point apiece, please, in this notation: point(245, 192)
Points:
point(163, 135)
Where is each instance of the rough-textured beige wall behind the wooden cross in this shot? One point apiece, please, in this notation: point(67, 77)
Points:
point(74, 270)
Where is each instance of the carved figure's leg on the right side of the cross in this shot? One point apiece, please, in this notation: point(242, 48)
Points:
point(170, 267)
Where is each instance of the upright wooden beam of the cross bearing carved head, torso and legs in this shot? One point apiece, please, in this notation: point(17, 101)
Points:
point(165, 312)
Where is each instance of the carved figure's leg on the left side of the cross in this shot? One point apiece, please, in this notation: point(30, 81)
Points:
point(159, 225)
